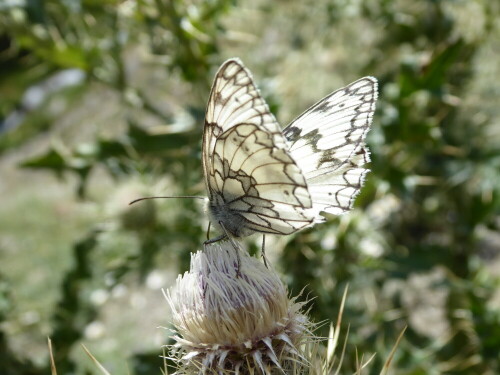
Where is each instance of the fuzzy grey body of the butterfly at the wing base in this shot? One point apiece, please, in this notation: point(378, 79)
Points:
point(219, 212)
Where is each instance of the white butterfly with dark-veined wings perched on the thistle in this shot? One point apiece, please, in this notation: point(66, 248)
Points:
point(262, 179)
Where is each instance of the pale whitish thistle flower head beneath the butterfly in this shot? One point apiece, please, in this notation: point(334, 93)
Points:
point(229, 323)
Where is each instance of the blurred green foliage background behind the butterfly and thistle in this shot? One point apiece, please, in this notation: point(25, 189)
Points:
point(103, 102)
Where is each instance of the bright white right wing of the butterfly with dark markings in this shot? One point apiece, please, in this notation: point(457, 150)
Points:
point(327, 141)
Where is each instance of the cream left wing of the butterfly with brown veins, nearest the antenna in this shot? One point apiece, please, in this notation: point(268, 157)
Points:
point(253, 183)
